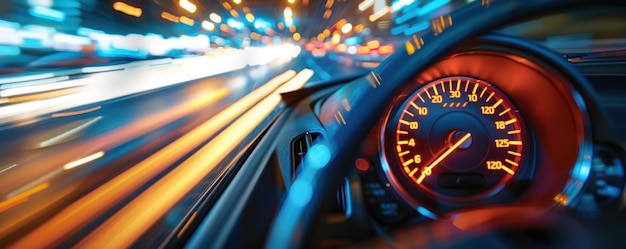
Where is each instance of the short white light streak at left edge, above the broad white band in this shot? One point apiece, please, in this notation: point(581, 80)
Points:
point(37, 86)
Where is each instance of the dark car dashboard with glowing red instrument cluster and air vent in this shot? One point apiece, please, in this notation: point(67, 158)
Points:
point(499, 131)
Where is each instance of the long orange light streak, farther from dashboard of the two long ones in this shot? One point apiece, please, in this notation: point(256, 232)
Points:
point(99, 201)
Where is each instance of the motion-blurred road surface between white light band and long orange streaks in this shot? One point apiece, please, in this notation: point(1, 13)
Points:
point(50, 162)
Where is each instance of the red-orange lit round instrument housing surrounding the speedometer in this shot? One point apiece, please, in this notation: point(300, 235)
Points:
point(532, 149)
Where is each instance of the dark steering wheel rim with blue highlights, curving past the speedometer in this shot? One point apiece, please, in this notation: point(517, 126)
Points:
point(326, 162)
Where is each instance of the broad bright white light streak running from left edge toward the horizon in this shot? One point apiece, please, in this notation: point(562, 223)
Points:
point(107, 85)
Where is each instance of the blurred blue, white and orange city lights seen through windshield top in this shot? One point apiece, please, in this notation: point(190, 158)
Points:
point(46, 35)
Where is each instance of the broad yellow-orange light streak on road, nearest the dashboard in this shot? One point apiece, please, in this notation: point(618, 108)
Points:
point(135, 218)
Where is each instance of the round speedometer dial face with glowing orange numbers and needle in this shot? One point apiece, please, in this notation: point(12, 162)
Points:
point(456, 138)
